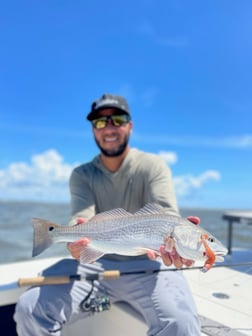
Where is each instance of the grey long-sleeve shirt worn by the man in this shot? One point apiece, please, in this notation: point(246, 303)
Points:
point(142, 178)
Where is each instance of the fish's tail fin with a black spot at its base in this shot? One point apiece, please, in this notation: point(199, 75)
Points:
point(42, 235)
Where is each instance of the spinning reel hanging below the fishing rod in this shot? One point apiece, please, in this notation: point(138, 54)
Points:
point(96, 304)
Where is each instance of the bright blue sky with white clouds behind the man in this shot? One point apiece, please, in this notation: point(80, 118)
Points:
point(185, 68)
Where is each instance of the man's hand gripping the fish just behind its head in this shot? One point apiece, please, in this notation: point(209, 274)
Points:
point(173, 257)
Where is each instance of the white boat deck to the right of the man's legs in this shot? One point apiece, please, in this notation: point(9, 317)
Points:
point(225, 296)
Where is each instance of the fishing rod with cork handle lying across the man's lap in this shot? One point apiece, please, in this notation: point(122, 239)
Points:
point(105, 275)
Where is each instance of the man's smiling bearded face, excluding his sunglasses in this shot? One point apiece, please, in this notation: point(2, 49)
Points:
point(112, 140)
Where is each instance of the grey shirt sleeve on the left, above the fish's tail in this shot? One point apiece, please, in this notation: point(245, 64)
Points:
point(82, 197)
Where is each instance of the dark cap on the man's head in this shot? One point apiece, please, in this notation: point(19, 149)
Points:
point(108, 101)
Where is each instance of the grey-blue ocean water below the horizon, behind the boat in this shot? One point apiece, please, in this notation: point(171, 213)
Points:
point(16, 233)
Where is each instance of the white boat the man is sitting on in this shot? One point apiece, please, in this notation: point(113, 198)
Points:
point(223, 295)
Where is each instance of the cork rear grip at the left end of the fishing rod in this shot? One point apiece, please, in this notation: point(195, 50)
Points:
point(41, 280)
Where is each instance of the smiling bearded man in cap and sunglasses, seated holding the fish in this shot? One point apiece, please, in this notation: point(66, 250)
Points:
point(120, 177)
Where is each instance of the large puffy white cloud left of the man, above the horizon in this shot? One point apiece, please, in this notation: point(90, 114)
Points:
point(44, 178)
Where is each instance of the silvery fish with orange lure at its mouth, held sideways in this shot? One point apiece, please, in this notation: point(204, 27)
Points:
point(119, 232)
